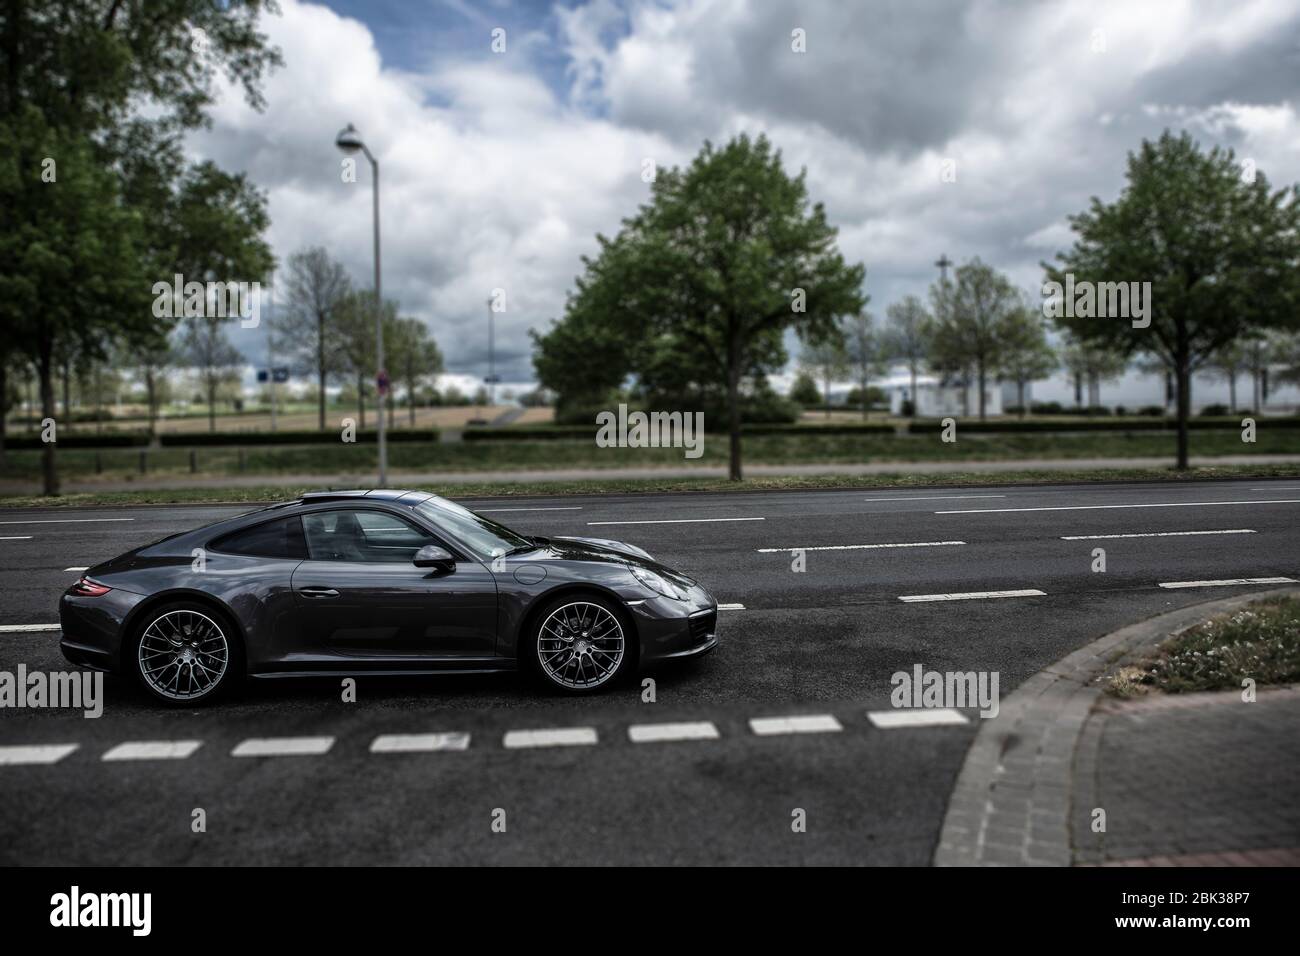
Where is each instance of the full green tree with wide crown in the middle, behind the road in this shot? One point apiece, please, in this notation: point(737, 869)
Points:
point(726, 257)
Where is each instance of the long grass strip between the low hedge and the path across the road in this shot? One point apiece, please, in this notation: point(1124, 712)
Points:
point(345, 460)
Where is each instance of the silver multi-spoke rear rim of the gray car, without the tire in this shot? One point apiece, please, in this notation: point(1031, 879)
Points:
point(184, 655)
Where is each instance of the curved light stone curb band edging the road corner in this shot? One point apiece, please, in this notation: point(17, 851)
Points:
point(1012, 801)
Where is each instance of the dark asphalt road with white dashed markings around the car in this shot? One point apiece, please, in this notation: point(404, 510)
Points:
point(820, 642)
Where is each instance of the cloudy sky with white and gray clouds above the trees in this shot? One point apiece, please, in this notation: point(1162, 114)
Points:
point(499, 168)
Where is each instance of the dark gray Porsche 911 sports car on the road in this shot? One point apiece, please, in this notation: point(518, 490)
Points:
point(382, 582)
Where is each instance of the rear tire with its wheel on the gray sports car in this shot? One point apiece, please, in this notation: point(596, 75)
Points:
point(197, 677)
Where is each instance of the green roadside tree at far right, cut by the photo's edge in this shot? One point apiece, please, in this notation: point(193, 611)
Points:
point(1221, 256)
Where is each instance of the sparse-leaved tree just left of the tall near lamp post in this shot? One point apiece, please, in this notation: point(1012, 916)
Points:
point(317, 288)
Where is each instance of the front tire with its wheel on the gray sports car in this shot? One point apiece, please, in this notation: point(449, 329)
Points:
point(597, 668)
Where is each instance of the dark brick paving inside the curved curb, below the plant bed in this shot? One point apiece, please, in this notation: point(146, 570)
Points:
point(1190, 780)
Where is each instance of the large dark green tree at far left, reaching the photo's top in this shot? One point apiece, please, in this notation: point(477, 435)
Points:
point(92, 93)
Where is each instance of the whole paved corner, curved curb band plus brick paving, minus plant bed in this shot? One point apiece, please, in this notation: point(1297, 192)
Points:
point(1193, 780)
